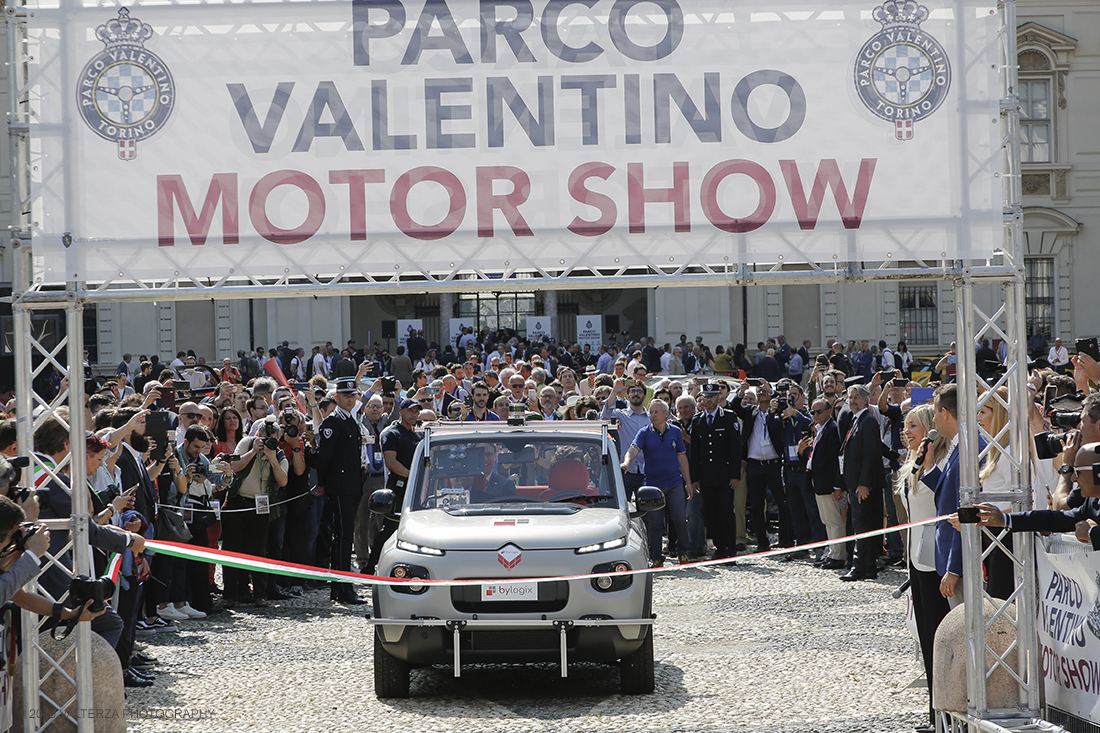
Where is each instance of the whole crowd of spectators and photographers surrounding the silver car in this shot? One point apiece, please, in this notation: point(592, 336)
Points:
point(273, 455)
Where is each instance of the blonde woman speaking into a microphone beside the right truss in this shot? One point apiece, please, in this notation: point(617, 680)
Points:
point(930, 607)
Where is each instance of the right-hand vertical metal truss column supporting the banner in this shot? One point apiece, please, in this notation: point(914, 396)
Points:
point(1022, 604)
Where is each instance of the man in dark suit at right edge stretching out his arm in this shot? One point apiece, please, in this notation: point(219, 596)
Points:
point(1083, 520)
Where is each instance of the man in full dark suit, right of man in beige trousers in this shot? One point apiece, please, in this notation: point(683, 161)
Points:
point(865, 479)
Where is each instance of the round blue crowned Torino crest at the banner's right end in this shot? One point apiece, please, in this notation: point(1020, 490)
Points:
point(903, 74)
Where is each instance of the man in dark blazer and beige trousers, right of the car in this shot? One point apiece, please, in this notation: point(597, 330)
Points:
point(823, 472)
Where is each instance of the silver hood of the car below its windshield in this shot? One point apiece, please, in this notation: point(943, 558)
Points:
point(438, 529)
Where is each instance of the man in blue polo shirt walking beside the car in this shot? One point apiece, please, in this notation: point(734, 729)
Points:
point(664, 451)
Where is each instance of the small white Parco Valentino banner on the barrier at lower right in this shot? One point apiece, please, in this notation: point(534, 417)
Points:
point(1070, 630)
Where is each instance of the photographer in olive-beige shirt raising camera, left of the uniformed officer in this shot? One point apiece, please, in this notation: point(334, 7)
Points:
point(259, 473)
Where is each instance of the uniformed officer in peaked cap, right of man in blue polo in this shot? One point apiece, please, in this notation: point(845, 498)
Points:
point(716, 462)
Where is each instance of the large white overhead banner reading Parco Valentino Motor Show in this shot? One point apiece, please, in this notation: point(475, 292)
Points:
point(388, 137)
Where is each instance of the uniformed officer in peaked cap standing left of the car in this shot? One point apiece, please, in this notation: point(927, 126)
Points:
point(339, 464)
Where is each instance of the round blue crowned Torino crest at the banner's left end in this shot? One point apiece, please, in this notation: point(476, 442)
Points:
point(126, 93)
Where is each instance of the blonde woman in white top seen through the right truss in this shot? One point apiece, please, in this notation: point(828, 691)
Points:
point(996, 476)
